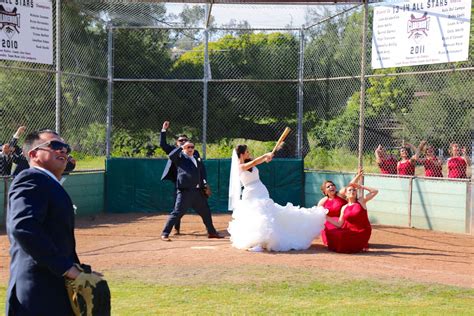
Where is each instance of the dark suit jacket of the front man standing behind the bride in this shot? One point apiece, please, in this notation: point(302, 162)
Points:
point(188, 175)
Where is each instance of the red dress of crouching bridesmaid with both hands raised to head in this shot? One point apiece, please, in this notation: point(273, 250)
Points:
point(354, 234)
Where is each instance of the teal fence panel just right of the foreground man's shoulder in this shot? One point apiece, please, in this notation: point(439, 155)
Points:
point(86, 191)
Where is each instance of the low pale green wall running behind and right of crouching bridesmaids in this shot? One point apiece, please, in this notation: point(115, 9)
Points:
point(436, 204)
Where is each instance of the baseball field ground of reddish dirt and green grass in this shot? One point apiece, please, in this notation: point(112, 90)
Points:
point(406, 271)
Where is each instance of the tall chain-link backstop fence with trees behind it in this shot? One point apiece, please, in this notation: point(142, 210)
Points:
point(224, 85)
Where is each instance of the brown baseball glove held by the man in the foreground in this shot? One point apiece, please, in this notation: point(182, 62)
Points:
point(89, 294)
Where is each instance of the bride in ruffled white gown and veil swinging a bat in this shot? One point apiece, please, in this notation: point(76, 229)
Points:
point(257, 222)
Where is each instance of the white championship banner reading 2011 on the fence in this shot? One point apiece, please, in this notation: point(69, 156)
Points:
point(420, 32)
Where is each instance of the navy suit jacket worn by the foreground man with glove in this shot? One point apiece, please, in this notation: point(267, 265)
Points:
point(40, 227)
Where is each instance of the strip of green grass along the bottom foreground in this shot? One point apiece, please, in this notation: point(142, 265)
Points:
point(296, 292)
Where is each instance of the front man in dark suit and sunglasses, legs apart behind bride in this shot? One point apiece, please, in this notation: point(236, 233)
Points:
point(190, 181)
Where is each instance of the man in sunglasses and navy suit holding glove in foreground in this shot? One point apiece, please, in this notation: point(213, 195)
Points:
point(46, 277)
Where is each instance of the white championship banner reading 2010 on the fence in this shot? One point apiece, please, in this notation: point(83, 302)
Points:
point(26, 31)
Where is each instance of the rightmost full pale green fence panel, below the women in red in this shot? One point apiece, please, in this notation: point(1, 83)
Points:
point(439, 205)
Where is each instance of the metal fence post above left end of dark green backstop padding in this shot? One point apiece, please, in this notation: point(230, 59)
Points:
point(110, 82)
